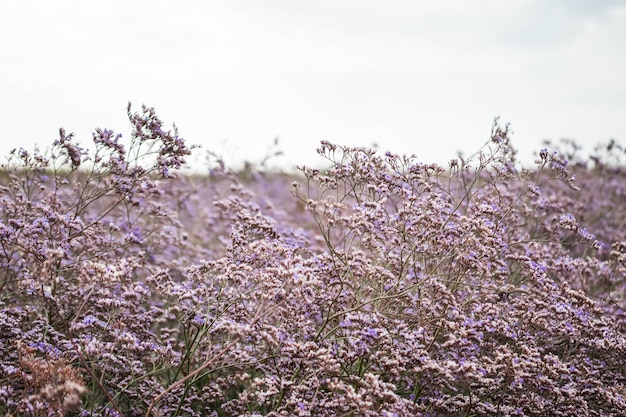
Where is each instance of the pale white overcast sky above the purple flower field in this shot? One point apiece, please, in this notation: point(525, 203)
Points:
point(423, 77)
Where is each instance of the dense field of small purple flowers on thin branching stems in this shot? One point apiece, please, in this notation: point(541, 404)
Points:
point(380, 286)
